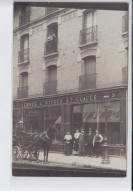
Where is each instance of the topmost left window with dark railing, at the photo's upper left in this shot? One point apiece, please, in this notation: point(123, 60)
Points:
point(24, 18)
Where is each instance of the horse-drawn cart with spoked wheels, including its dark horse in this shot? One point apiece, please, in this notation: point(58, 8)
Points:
point(28, 148)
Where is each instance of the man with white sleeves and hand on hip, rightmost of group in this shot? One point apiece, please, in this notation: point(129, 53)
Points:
point(97, 140)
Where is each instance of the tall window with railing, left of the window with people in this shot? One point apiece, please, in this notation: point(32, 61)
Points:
point(23, 55)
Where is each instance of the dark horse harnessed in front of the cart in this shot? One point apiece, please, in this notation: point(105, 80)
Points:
point(44, 140)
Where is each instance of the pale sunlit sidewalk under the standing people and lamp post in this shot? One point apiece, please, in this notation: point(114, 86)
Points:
point(115, 162)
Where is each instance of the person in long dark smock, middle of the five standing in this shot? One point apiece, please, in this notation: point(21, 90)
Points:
point(81, 149)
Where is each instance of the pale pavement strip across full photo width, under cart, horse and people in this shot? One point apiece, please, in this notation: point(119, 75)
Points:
point(72, 161)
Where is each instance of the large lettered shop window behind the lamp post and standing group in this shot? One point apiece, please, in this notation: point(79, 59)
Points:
point(94, 117)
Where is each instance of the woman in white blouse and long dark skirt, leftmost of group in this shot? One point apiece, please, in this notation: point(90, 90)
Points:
point(68, 144)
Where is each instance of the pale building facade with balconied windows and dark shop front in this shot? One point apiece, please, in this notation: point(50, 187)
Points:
point(65, 61)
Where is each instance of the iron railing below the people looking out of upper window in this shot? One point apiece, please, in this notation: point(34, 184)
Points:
point(50, 47)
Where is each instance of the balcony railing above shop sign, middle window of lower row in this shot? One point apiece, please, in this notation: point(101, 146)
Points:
point(50, 87)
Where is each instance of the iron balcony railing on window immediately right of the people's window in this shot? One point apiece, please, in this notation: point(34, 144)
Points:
point(88, 35)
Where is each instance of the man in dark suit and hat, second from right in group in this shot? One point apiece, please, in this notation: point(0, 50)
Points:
point(89, 142)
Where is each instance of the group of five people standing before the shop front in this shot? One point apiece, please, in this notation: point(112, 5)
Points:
point(83, 143)
